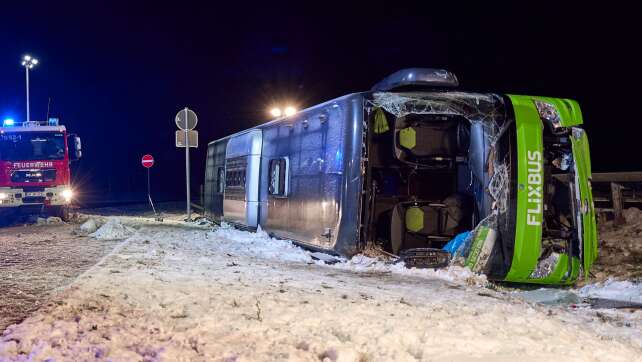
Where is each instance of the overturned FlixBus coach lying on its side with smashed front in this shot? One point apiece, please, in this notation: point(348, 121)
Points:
point(412, 164)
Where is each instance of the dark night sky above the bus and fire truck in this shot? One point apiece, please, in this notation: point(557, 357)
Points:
point(117, 72)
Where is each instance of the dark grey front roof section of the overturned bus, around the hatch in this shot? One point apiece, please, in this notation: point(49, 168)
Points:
point(312, 143)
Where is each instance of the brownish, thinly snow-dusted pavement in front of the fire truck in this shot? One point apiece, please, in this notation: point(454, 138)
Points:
point(37, 260)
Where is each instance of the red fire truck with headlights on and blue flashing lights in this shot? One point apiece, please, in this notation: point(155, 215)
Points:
point(35, 177)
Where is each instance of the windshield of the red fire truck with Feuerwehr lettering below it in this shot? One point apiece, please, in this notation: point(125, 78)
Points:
point(30, 146)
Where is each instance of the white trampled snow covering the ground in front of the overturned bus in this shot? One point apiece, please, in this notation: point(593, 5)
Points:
point(176, 291)
